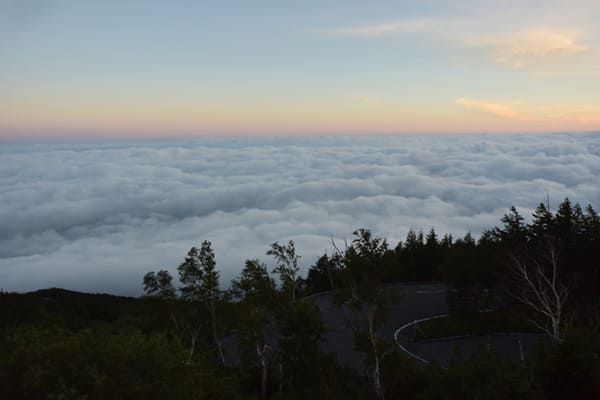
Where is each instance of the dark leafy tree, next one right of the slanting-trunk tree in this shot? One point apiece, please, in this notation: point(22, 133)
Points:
point(257, 293)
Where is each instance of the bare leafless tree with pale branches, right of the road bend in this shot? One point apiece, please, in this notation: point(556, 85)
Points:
point(538, 282)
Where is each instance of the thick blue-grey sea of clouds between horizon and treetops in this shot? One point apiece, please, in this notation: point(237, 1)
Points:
point(97, 216)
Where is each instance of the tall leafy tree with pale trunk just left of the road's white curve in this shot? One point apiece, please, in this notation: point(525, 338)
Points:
point(362, 296)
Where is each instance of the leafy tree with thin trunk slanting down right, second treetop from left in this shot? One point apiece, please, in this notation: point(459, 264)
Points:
point(201, 283)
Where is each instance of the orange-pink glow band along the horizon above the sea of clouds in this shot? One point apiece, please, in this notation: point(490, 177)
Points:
point(347, 116)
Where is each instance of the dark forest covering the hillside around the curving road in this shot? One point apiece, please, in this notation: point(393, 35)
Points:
point(264, 335)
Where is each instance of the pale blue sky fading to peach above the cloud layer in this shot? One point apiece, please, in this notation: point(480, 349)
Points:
point(138, 69)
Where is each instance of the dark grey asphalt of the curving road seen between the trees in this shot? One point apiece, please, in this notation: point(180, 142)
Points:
point(415, 301)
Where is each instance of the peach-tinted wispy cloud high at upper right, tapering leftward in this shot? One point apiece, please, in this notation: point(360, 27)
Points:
point(528, 47)
